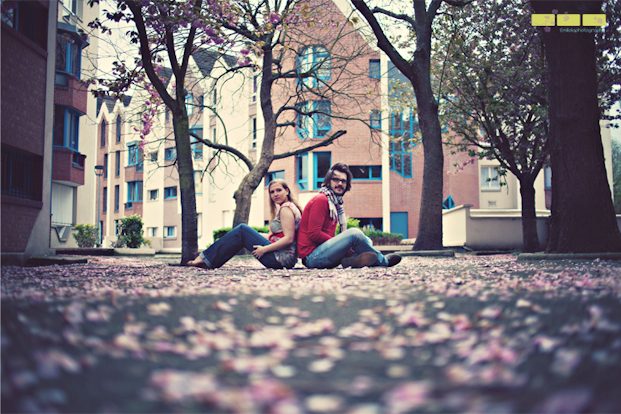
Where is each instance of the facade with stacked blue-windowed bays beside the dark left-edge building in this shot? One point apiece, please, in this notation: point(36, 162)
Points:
point(73, 175)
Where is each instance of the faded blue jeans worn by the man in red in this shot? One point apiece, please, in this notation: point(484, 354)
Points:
point(330, 253)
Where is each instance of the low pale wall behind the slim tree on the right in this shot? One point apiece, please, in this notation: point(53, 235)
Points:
point(489, 229)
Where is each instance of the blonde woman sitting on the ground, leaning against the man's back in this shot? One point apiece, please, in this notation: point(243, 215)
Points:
point(276, 250)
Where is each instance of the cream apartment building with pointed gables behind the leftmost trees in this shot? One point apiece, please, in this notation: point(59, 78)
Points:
point(144, 180)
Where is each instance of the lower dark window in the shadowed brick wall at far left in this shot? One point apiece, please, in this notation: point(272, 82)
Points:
point(22, 174)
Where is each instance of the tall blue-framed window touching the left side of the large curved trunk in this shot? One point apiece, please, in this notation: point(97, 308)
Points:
point(402, 129)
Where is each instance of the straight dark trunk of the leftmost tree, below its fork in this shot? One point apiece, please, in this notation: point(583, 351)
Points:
point(185, 168)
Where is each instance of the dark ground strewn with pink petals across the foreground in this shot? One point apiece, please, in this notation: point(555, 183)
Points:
point(465, 334)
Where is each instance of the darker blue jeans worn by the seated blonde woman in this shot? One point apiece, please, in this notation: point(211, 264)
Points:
point(232, 242)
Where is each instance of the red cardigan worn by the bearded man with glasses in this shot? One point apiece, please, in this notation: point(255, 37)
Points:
point(316, 226)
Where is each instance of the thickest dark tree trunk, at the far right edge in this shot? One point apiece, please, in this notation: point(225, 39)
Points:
point(583, 218)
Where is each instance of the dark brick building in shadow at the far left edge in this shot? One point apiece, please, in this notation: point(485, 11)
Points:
point(28, 50)
